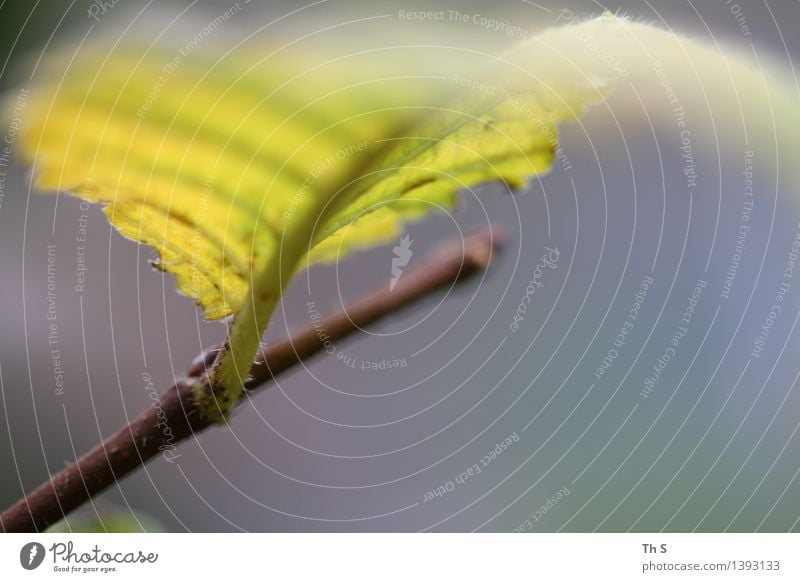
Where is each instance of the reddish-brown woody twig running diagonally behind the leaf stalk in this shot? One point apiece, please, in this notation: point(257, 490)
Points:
point(175, 417)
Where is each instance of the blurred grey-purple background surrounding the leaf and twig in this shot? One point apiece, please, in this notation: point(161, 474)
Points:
point(332, 448)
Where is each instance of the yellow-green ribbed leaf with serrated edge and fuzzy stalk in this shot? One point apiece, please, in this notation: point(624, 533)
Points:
point(241, 170)
